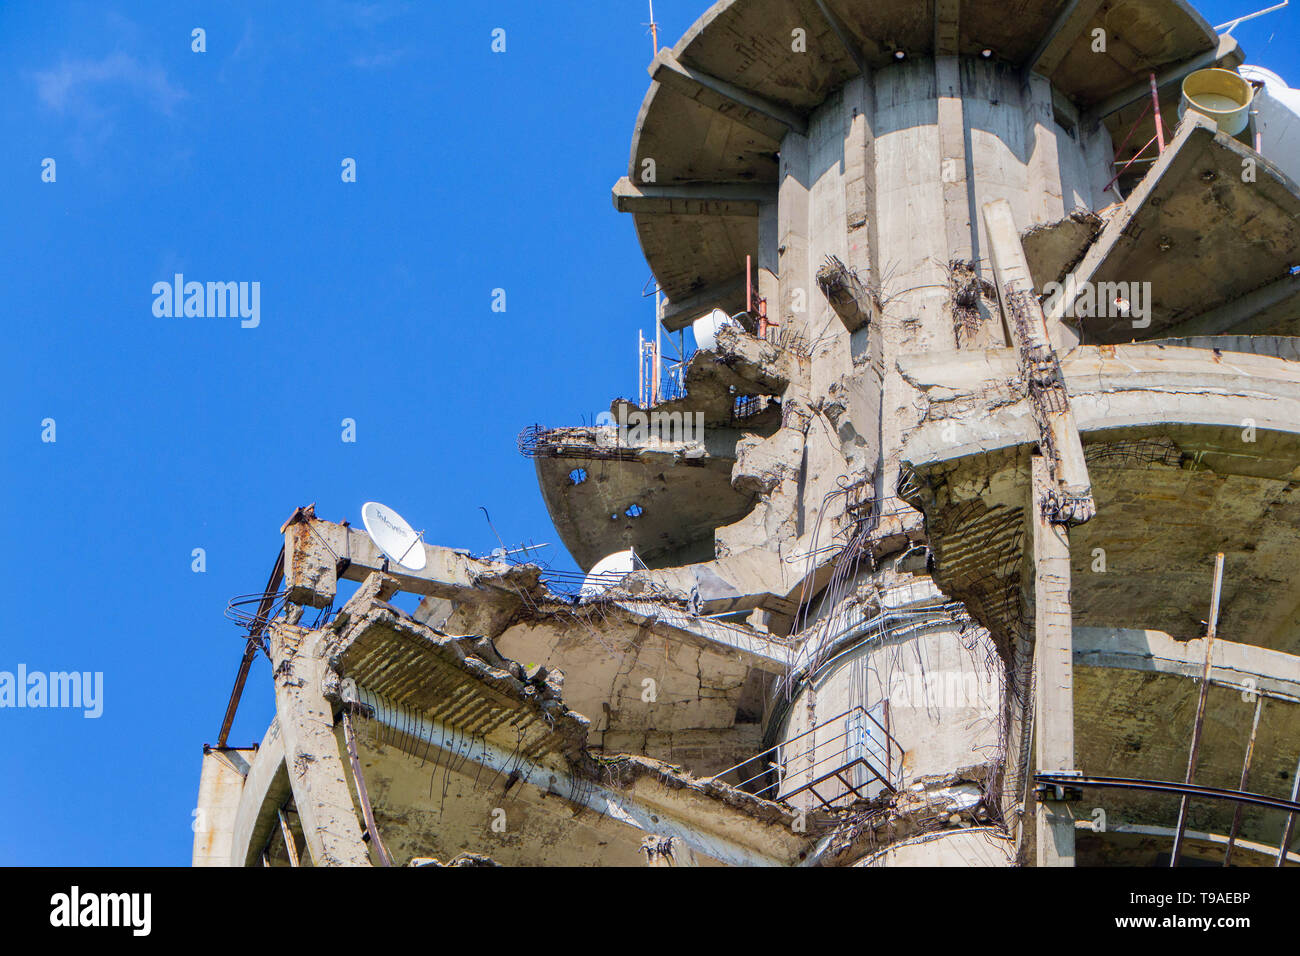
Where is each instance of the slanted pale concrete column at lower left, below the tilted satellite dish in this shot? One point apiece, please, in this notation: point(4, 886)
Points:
point(317, 771)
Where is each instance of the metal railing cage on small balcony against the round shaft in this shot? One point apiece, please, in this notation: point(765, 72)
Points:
point(851, 762)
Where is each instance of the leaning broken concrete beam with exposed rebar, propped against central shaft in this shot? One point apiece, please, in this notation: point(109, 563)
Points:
point(1072, 498)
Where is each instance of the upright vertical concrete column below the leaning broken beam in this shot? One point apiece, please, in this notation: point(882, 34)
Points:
point(1054, 669)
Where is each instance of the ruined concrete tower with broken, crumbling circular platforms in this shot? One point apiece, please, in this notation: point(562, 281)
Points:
point(915, 561)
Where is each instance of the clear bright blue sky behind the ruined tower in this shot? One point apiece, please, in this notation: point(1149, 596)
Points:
point(475, 172)
